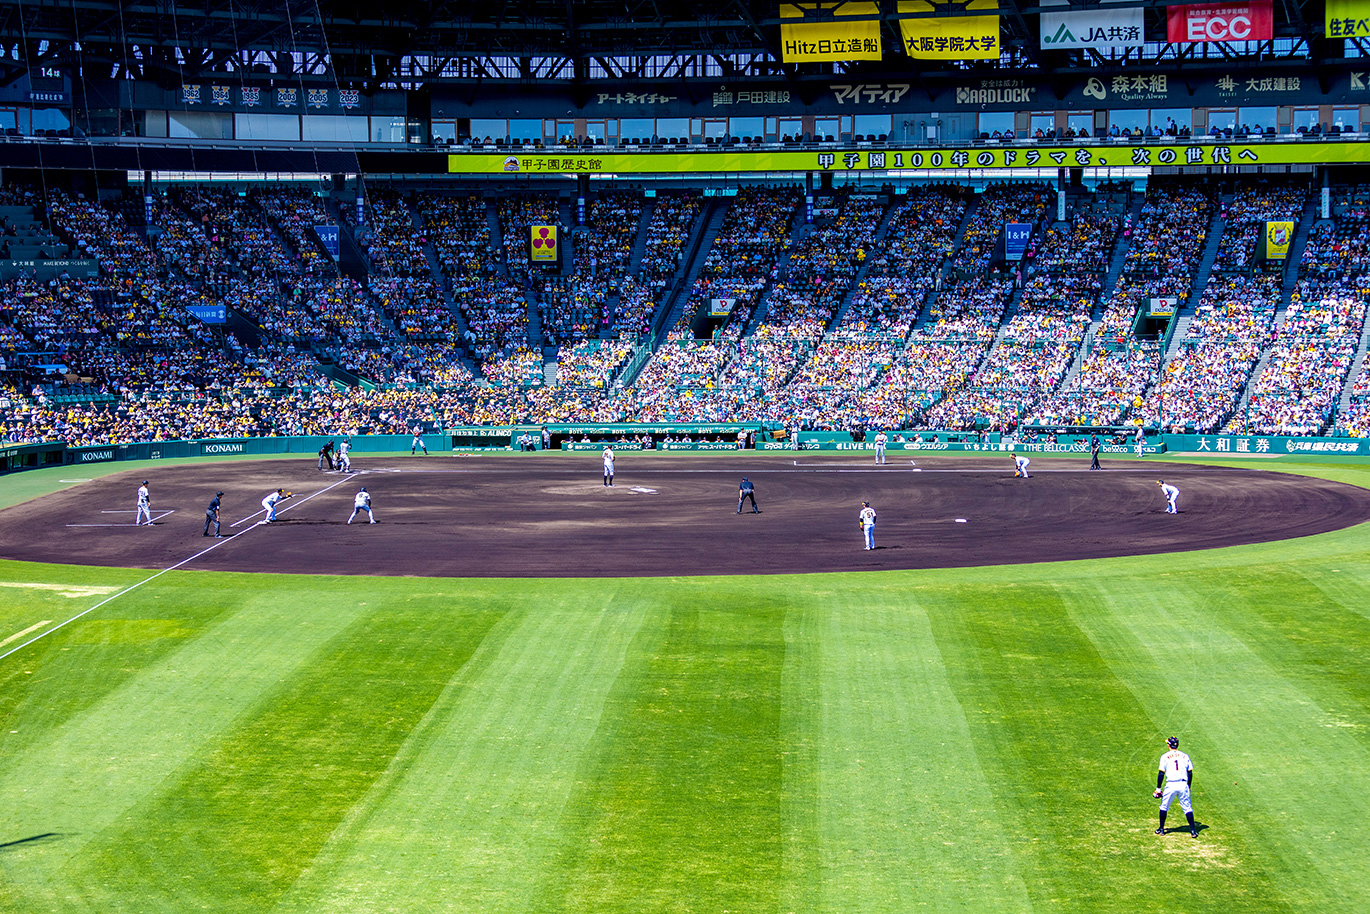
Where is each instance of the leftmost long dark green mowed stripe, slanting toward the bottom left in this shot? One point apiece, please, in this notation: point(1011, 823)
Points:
point(249, 813)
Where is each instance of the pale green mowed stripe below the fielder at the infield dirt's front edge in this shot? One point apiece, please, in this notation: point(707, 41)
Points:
point(908, 817)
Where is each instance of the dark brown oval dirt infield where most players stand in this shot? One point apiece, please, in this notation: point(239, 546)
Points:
point(549, 516)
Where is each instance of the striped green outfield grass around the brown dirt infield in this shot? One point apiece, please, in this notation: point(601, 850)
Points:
point(968, 741)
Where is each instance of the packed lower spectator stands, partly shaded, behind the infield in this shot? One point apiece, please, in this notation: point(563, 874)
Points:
point(894, 309)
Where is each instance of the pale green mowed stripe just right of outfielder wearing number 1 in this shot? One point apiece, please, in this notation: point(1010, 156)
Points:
point(1286, 786)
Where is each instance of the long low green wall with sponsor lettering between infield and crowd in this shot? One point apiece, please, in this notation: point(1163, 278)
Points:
point(705, 438)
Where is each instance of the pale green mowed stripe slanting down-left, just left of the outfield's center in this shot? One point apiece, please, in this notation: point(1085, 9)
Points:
point(473, 806)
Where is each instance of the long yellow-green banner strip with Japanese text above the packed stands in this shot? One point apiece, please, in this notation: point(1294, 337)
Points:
point(935, 158)
